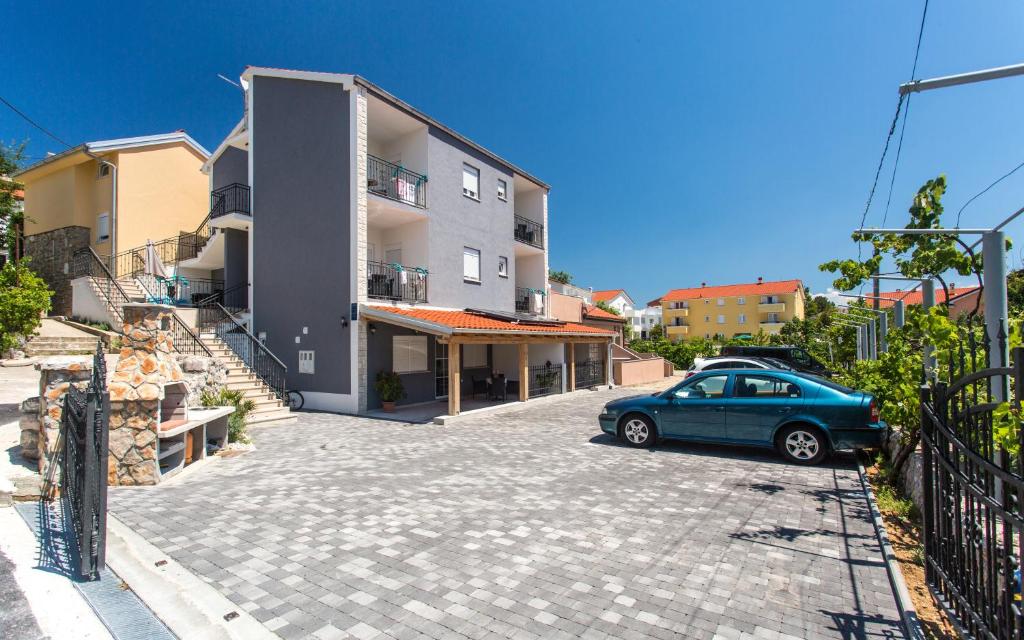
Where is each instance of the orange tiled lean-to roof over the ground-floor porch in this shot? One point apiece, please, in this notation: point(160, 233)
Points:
point(450, 322)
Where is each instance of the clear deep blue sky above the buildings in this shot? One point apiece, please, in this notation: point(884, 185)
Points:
point(685, 143)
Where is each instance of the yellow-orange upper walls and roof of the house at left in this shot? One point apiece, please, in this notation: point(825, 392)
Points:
point(160, 191)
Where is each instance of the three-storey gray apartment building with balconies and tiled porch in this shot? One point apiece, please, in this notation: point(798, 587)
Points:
point(376, 240)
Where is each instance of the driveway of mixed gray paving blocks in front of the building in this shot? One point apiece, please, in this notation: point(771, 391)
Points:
point(531, 525)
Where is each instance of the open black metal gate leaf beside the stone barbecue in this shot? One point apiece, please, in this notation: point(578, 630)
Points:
point(82, 460)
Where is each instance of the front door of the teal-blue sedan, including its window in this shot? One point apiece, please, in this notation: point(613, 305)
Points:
point(697, 410)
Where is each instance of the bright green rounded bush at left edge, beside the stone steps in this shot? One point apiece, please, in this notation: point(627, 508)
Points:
point(24, 298)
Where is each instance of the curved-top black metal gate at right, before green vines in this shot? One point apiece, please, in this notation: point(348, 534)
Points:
point(974, 487)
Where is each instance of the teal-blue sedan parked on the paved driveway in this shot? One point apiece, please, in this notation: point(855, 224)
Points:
point(802, 416)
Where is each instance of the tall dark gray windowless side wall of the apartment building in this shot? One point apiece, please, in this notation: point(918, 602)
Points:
point(302, 244)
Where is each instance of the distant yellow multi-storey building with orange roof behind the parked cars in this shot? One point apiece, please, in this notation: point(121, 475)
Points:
point(731, 311)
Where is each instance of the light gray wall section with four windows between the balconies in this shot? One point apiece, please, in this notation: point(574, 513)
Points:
point(458, 222)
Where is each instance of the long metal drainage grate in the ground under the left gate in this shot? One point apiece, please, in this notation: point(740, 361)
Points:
point(117, 607)
